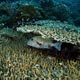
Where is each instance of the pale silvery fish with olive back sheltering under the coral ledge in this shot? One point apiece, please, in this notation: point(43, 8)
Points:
point(44, 43)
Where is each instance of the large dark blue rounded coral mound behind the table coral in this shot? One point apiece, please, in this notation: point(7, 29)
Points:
point(54, 9)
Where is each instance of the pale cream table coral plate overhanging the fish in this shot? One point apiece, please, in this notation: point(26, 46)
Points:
point(54, 33)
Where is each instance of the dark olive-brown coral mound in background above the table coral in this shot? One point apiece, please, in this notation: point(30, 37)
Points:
point(29, 11)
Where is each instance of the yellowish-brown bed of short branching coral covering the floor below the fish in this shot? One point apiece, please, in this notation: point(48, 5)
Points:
point(19, 62)
